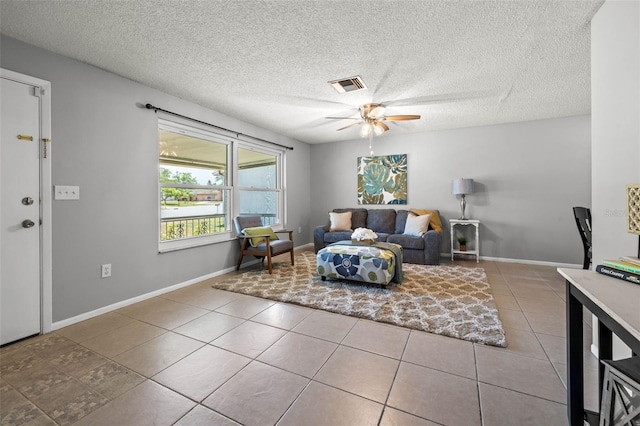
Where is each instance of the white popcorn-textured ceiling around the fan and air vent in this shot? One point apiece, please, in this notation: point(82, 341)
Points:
point(456, 63)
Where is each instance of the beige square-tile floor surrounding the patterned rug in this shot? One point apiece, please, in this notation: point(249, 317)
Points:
point(204, 356)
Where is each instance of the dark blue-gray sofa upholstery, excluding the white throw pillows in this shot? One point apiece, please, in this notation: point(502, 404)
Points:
point(389, 225)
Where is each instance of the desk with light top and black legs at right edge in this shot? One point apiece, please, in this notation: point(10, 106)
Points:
point(616, 304)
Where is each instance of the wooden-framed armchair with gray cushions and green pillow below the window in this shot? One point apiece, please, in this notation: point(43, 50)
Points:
point(267, 247)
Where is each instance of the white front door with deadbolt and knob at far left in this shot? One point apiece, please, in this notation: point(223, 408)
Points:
point(20, 212)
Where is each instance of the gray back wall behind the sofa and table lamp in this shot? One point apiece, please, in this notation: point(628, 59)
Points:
point(528, 176)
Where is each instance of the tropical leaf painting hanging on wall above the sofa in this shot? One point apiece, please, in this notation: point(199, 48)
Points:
point(382, 179)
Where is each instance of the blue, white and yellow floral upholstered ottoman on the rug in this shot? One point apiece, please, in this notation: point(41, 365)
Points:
point(375, 264)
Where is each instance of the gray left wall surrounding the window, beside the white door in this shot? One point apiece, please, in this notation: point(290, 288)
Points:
point(107, 145)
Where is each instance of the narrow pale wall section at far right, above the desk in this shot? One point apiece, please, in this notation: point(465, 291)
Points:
point(615, 100)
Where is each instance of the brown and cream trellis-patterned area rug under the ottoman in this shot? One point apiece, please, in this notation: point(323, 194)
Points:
point(450, 300)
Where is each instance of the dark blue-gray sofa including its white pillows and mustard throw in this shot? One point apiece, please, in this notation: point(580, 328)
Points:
point(418, 236)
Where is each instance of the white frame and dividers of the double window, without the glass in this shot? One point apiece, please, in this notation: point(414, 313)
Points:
point(232, 205)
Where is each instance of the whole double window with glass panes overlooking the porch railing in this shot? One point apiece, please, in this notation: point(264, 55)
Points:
point(206, 179)
